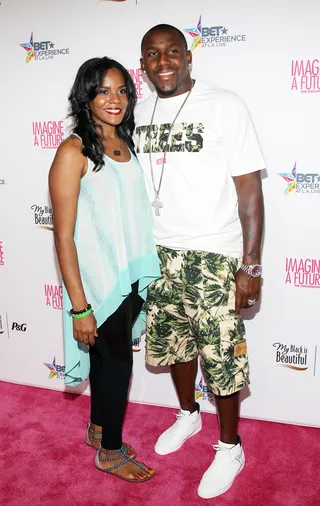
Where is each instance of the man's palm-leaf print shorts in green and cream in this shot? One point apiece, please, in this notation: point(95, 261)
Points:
point(190, 312)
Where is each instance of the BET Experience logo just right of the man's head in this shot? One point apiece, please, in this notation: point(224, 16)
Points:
point(212, 36)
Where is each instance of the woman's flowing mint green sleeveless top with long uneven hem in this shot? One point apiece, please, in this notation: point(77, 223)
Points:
point(115, 246)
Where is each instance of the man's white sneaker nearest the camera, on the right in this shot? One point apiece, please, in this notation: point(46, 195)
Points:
point(226, 466)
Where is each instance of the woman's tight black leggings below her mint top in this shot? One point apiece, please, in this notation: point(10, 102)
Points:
point(110, 370)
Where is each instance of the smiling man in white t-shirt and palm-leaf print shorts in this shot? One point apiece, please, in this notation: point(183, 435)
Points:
point(202, 162)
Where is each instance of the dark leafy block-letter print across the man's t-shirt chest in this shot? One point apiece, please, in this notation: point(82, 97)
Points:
point(184, 137)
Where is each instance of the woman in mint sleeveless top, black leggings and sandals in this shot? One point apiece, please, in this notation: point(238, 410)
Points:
point(105, 250)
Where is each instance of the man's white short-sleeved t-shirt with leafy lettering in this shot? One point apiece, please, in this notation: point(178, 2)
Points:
point(212, 140)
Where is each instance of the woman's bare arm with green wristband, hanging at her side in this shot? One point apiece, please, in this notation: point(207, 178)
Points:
point(64, 183)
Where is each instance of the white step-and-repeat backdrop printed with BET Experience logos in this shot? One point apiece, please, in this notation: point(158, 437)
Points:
point(268, 53)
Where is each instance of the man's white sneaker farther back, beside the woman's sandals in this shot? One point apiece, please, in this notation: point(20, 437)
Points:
point(187, 425)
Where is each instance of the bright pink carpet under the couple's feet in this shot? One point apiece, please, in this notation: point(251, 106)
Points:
point(44, 460)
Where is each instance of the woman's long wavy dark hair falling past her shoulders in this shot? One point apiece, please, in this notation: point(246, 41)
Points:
point(85, 88)
